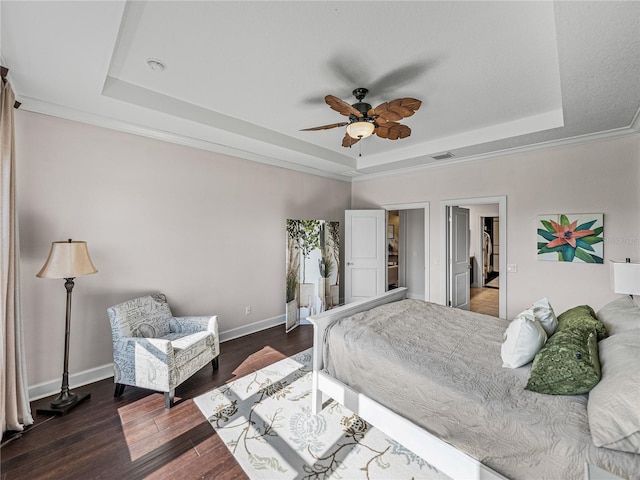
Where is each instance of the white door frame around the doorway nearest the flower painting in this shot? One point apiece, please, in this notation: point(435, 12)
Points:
point(444, 253)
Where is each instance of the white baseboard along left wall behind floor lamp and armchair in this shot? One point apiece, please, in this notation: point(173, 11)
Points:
point(76, 380)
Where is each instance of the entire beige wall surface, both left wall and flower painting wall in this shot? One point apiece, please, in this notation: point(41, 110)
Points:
point(208, 230)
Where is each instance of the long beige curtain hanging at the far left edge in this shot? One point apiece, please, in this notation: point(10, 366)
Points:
point(16, 412)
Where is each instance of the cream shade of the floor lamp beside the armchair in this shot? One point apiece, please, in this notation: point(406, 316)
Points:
point(68, 259)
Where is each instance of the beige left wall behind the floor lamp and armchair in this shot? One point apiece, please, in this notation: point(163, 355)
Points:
point(206, 229)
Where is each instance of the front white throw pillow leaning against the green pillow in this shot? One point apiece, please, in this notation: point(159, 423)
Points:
point(523, 338)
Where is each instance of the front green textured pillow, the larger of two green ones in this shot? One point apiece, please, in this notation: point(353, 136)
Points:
point(568, 364)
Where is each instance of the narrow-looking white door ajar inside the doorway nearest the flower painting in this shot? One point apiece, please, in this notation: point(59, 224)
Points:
point(459, 260)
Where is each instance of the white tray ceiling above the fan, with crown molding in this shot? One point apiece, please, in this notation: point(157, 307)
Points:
point(243, 78)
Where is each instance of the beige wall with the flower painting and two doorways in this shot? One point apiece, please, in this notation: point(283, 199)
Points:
point(599, 177)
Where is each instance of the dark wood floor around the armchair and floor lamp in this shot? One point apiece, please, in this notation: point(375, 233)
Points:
point(133, 436)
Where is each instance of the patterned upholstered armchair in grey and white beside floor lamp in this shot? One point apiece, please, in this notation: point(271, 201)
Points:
point(153, 349)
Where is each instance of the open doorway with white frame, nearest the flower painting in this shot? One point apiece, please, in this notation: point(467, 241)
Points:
point(484, 266)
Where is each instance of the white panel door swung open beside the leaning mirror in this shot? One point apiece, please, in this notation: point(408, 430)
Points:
point(365, 254)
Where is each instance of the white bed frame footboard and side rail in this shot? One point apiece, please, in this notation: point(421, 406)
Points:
point(437, 452)
